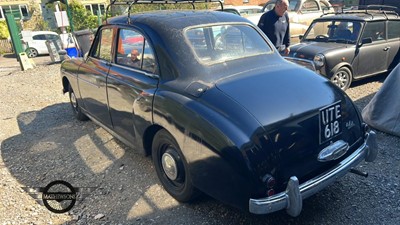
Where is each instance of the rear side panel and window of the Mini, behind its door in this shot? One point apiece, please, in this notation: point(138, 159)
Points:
point(393, 31)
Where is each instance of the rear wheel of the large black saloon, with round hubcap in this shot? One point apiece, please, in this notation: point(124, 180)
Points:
point(171, 167)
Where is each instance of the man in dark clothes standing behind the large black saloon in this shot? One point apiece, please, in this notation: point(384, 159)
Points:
point(275, 24)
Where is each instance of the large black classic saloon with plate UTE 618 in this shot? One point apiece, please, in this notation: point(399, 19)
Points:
point(219, 110)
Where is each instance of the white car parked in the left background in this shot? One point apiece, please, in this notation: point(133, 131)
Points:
point(34, 42)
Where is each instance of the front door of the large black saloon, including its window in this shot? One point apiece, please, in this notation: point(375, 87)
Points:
point(93, 76)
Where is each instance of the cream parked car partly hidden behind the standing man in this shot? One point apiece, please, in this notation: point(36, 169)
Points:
point(301, 14)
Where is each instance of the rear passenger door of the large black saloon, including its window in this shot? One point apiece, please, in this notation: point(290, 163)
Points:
point(131, 86)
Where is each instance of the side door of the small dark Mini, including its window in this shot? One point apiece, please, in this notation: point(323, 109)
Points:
point(372, 57)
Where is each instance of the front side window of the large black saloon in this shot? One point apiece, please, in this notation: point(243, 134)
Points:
point(104, 45)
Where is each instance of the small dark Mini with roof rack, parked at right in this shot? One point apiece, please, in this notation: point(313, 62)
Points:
point(351, 45)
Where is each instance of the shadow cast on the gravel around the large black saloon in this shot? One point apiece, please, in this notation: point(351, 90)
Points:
point(52, 145)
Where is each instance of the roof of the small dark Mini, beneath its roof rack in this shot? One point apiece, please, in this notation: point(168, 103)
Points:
point(360, 15)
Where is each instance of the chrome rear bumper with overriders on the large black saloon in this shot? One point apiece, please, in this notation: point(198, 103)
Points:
point(292, 198)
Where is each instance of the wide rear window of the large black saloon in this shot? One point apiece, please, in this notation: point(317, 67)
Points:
point(213, 44)
